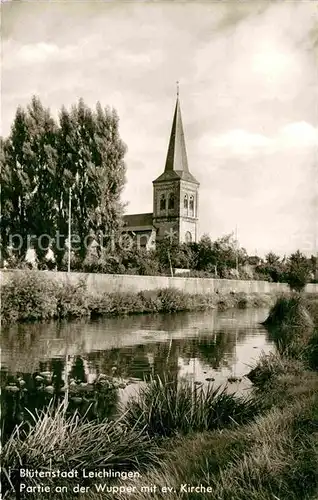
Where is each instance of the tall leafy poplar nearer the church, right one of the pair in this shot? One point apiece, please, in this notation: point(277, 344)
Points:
point(91, 158)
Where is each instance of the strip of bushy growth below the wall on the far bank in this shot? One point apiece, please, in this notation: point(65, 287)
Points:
point(29, 298)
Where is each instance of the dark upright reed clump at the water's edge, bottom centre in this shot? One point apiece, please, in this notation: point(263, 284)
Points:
point(164, 409)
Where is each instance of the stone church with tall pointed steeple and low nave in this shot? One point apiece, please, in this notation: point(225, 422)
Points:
point(175, 197)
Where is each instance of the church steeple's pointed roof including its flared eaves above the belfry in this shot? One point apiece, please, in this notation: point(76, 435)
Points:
point(176, 162)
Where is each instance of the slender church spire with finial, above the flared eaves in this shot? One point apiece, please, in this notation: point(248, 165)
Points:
point(177, 154)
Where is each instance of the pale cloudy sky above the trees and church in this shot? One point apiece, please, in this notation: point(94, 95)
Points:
point(248, 74)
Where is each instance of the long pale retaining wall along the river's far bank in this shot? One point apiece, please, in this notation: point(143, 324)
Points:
point(99, 283)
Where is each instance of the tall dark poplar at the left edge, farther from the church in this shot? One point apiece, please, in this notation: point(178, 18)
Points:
point(28, 174)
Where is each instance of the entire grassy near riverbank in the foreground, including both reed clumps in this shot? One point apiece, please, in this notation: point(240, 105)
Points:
point(262, 447)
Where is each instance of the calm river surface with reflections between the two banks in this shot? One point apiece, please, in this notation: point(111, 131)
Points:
point(103, 362)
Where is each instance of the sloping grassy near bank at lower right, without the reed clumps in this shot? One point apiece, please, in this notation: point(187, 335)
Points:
point(272, 455)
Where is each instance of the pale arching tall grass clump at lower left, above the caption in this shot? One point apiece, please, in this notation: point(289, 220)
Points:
point(56, 441)
